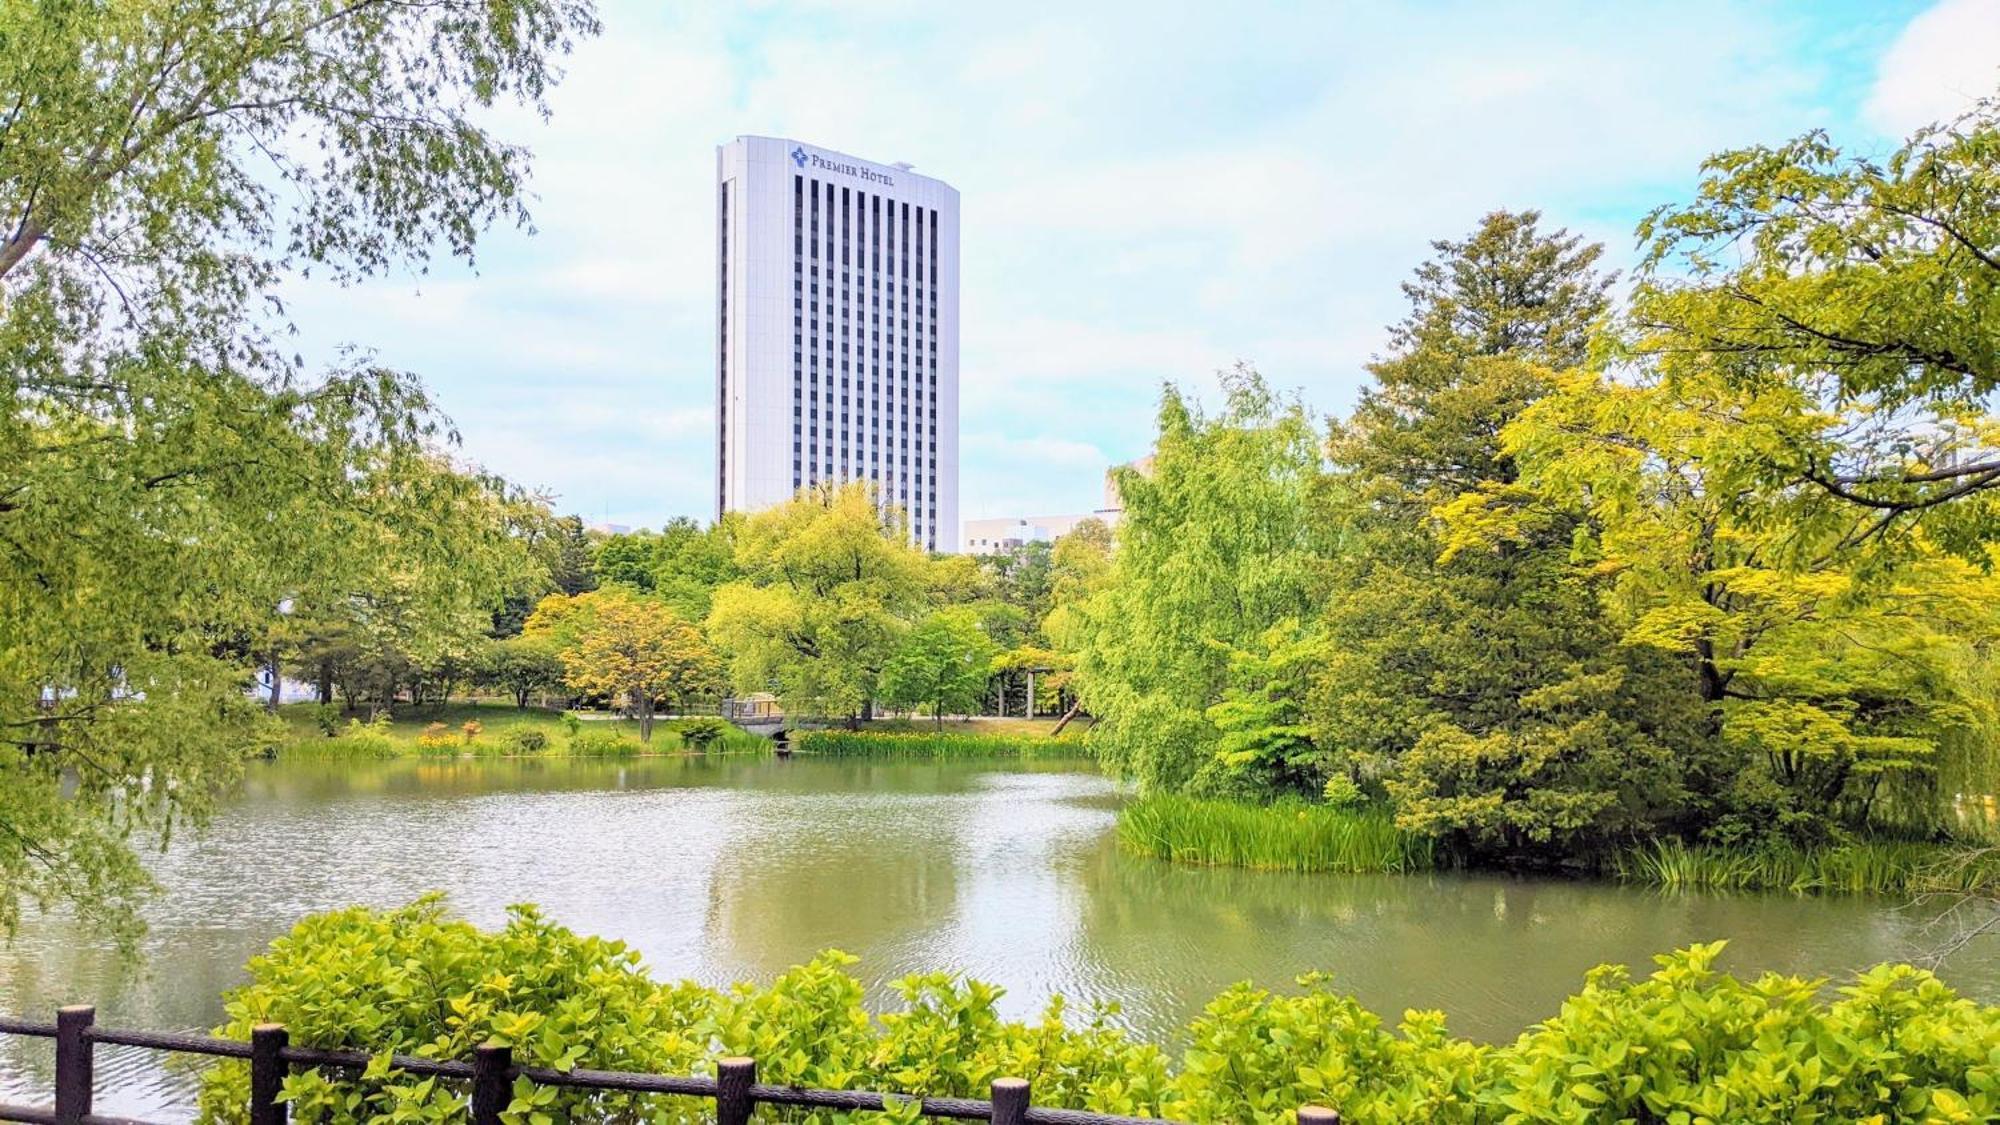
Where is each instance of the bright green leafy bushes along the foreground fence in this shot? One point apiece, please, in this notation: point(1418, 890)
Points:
point(1683, 1046)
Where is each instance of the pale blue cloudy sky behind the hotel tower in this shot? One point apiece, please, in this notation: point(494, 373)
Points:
point(1151, 193)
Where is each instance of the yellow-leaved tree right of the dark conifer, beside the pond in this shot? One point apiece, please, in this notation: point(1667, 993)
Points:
point(1831, 678)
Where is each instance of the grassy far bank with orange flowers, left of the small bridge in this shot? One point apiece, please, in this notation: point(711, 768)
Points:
point(497, 730)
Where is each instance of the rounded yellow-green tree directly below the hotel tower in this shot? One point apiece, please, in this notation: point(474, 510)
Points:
point(829, 590)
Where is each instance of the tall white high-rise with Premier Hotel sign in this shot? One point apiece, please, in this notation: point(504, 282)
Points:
point(837, 331)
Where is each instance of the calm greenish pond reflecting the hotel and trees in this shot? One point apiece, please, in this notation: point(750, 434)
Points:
point(737, 868)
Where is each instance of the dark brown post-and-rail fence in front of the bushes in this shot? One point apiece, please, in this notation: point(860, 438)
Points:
point(491, 1076)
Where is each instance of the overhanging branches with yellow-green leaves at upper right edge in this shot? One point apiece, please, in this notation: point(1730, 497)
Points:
point(1869, 287)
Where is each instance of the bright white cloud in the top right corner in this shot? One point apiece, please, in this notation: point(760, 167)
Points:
point(1945, 59)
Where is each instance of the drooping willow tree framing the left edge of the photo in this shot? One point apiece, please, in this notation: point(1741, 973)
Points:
point(169, 471)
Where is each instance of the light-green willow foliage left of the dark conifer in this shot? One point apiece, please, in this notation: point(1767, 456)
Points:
point(1217, 545)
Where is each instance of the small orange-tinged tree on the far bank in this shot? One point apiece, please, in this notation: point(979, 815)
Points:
point(627, 646)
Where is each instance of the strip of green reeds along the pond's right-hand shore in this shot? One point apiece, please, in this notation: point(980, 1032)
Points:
point(1885, 868)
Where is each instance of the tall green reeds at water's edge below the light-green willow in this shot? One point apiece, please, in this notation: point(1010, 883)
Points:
point(1271, 838)
